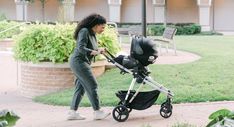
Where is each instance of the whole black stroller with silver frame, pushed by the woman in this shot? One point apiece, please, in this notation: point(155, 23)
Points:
point(142, 53)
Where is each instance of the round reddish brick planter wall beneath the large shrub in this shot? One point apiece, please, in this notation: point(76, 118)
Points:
point(44, 78)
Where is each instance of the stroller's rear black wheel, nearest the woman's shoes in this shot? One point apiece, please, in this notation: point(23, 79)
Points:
point(120, 113)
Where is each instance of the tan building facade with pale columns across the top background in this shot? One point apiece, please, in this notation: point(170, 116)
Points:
point(210, 14)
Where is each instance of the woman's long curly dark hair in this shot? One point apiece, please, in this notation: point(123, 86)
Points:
point(89, 22)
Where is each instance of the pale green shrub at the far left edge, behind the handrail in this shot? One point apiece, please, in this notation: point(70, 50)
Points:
point(5, 25)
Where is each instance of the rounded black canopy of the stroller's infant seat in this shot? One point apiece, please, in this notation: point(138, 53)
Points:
point(144, 50)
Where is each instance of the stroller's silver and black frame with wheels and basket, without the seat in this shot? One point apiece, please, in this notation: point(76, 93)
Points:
point(132, 99)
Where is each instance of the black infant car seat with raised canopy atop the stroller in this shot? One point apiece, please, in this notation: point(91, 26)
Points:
point(143, 52)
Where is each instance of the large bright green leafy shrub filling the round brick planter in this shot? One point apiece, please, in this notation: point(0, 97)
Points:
point(52, 43)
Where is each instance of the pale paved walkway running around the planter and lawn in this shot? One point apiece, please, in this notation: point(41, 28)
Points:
point(39, 115)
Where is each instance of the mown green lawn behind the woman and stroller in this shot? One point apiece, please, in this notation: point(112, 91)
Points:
point(209, 79)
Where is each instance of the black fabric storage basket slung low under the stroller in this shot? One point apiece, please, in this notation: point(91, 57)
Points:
point(142, 101)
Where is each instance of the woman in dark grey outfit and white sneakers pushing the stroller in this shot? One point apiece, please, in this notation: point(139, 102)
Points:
point(86, 49)
